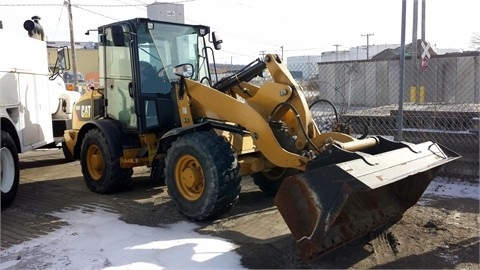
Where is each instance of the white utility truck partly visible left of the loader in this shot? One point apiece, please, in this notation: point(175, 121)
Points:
point(35, 107)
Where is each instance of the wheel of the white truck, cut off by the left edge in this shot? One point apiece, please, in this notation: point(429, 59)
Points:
point(9, 170)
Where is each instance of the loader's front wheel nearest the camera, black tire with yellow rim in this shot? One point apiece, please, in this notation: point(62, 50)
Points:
point(202, 175)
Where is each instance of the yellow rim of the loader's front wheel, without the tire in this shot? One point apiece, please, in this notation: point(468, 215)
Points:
point(189, 178)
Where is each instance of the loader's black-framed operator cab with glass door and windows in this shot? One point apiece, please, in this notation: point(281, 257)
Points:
point(137, 60)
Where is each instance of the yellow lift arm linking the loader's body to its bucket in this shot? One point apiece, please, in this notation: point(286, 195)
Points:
point(280, 100)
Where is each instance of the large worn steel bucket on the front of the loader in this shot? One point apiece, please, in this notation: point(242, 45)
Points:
point(345, 195)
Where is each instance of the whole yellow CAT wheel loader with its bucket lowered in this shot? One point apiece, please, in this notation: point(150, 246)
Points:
point(164, 103)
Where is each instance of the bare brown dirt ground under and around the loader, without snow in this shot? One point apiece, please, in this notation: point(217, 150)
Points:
point(437, 233)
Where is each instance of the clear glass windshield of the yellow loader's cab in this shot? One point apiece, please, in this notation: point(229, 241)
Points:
point(165, 46)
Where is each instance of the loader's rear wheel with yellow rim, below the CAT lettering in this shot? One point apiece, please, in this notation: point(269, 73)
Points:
point(101, 169)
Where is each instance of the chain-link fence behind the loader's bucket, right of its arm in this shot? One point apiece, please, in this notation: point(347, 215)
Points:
point(440, 101)
